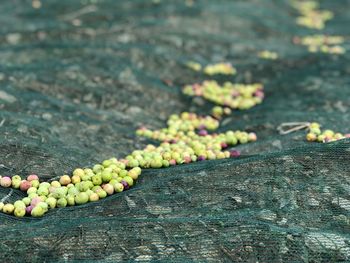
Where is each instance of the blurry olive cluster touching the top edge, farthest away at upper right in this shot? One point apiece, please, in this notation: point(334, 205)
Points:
point(311, 16)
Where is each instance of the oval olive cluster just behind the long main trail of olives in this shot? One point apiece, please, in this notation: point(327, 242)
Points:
point(235, 96)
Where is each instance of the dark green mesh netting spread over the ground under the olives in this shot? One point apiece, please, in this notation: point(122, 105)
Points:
point(78, 77)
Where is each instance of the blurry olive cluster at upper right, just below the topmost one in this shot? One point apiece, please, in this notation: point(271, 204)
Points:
point(322, 43)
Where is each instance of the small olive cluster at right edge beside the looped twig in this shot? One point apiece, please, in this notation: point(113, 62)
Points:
point(315, 134)
